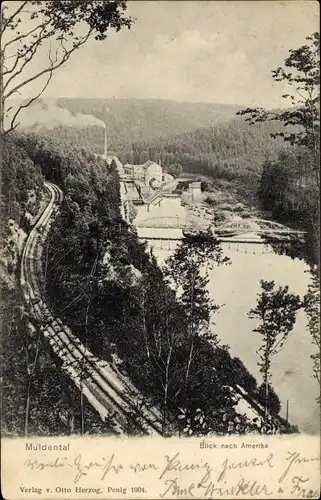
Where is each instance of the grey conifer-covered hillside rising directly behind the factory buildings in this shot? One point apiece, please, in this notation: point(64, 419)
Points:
point(230, 151)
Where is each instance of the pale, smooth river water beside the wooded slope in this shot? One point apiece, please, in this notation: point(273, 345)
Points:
point(236, 286)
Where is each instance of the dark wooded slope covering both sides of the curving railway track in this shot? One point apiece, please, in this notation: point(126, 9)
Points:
point(107, 288)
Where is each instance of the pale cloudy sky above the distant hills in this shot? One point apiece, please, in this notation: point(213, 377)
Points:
point(201, 51)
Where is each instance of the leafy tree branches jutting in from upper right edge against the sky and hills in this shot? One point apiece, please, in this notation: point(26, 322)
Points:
point(301, 72)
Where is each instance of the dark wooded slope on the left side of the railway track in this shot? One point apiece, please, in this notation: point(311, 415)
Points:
point(37, 398)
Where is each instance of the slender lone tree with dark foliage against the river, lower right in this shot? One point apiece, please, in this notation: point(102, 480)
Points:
point(276, 311)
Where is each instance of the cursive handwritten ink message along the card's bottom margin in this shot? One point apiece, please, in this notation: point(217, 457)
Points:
point(214, 476)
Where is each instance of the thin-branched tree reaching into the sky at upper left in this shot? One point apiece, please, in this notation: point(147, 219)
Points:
point(56, 28)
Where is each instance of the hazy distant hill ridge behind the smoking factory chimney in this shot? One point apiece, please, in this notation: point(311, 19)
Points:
point(130, 120)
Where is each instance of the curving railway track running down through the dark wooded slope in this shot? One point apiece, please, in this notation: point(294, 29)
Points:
point(110, 393)
